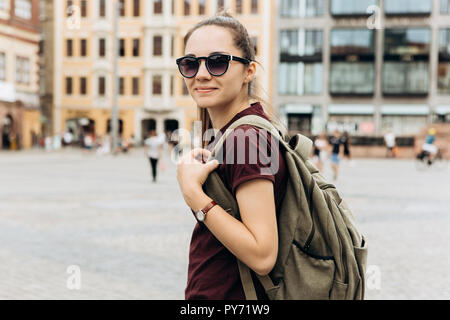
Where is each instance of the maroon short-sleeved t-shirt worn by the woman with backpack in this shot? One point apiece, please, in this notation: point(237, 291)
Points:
point(213, 271)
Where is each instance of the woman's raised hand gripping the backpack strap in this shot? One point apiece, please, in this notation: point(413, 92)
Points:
point(192, 172)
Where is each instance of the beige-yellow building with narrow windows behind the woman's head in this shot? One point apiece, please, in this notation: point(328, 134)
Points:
point(150, 33)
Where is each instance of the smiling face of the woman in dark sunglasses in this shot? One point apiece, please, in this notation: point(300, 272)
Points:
point(225, 88)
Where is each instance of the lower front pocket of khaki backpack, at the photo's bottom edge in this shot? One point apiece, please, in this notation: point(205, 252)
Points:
point(310, 277)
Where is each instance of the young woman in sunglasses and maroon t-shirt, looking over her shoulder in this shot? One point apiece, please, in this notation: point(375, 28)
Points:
point(218, 68)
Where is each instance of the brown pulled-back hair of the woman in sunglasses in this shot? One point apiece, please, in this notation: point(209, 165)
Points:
point(242, 41)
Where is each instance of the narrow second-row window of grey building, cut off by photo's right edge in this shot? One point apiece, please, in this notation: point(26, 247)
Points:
point(444, 62)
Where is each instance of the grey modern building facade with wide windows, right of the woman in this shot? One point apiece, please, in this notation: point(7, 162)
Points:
point(362, 66)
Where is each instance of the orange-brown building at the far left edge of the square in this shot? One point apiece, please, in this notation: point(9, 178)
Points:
point(19, 73)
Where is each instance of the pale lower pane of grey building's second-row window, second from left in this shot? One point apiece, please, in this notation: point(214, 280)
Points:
point(352, 78)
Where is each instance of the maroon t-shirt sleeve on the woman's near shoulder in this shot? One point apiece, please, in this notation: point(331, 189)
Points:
point(250, 154)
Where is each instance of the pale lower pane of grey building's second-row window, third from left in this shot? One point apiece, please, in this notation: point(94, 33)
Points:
point(405, 78)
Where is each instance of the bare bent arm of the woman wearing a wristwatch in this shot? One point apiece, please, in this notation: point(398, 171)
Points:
point(254, 241)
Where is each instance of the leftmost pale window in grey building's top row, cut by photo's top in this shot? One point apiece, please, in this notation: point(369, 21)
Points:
point(302, 8)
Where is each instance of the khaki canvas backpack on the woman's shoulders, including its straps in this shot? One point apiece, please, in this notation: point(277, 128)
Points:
point(321, 253)
